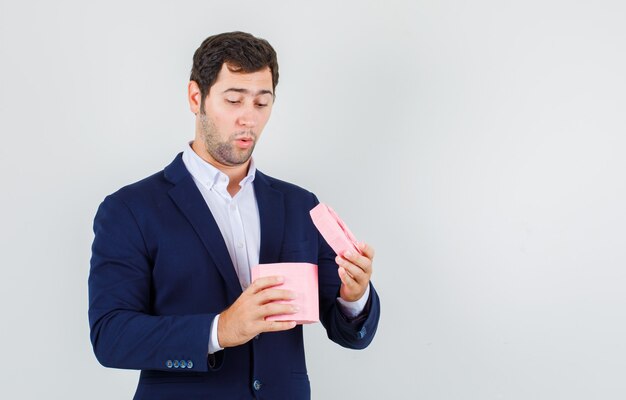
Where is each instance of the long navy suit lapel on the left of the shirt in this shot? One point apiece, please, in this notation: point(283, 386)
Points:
point(188, 198)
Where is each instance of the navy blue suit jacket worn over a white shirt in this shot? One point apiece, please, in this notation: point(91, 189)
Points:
point(160, 272)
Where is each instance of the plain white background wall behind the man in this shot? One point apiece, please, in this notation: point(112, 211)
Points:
point(479, 146)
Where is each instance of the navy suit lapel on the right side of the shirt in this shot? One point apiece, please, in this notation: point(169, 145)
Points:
point(272, 217)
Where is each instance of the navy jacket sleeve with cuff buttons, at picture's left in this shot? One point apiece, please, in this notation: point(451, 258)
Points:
point(124, 333)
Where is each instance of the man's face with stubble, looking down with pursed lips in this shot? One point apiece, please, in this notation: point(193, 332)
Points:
point(234, 114)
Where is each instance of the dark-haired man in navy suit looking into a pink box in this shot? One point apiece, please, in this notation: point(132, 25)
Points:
point(169, 287)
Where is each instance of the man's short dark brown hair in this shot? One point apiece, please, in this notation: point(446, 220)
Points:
point(241, 52)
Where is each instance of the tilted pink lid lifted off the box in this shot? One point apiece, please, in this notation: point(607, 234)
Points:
point(333, 229)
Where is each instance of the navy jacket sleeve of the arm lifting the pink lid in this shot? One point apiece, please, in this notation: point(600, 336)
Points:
point(355, 333)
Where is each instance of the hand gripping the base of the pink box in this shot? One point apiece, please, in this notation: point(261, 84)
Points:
point(245, 318)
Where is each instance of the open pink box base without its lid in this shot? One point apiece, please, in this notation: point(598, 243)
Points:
point(300, 278)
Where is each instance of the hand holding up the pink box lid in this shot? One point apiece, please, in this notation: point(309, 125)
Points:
point(355, 271)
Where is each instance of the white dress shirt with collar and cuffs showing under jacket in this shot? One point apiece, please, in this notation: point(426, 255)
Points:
point(237, 217)
